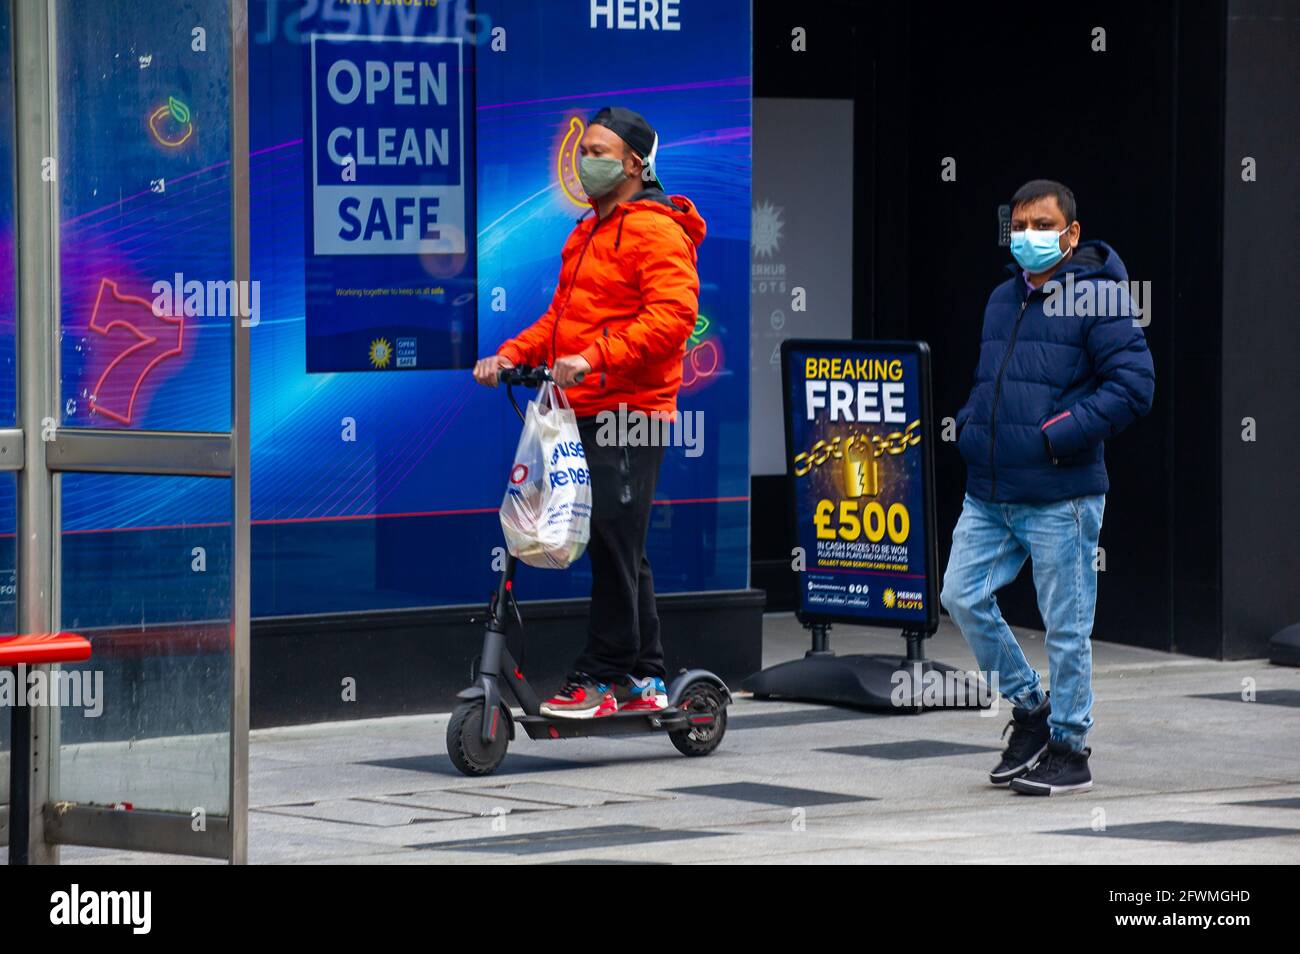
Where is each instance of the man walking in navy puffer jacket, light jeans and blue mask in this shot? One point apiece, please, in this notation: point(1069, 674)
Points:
point(1063, 367)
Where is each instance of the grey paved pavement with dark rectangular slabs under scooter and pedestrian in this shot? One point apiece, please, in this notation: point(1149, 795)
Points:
point(1185, 773)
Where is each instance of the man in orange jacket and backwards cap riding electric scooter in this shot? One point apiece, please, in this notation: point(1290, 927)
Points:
point(616, 339)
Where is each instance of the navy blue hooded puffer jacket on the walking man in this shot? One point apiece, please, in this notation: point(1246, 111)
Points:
point(1051, 388)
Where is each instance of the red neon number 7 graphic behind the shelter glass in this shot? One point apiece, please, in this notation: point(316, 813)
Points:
point(141, 350)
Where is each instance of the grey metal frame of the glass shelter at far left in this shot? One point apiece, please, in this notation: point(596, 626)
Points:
point(38, 452)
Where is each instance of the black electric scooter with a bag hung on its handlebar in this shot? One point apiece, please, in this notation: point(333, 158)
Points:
point(483, 725)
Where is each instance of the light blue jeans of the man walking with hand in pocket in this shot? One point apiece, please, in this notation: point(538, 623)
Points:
point(990, 547)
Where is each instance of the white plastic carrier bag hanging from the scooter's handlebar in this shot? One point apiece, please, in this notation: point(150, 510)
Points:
point(547, 514)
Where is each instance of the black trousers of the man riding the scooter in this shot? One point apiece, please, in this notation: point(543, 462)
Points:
point(623, 632)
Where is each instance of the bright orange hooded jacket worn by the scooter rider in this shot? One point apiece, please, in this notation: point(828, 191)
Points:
point(627, 301)
